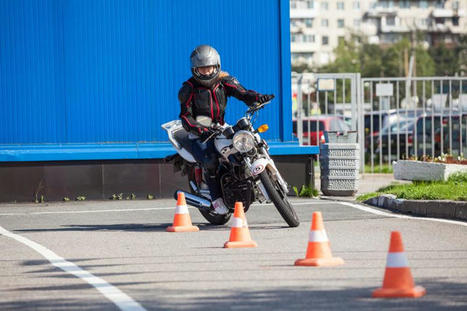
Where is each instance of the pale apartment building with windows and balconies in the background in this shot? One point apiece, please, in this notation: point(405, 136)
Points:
point(318, 25)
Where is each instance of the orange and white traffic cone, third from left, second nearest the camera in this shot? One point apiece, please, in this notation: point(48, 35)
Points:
point(318, 252)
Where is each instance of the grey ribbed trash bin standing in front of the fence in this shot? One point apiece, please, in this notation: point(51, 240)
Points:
point(339, 163)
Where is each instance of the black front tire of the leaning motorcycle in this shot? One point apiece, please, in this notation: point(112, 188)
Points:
point(279, 199)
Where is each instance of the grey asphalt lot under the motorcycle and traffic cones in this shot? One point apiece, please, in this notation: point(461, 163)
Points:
point(118, 253)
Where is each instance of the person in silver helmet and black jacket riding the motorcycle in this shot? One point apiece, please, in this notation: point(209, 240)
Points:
point(203, 100)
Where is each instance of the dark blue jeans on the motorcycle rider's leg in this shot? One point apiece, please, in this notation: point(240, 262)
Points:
point(206, 154)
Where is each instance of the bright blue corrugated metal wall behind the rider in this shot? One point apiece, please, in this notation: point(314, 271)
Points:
point(108, 71)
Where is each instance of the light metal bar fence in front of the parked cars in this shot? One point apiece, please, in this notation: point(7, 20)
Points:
point(396, 118)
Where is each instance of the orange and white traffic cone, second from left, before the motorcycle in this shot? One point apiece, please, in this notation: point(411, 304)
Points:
point(239, 233)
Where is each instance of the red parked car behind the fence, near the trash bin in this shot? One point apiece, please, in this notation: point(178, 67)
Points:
point(314, 127)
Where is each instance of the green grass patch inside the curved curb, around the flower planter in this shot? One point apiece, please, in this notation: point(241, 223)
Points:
point(455, 188)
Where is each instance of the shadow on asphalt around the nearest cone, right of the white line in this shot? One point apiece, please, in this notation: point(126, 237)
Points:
point(317, 299)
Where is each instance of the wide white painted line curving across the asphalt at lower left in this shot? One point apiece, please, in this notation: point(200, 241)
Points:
point(119, 298)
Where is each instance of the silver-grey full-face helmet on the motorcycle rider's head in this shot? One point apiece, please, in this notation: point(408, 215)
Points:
point(203, 56)
